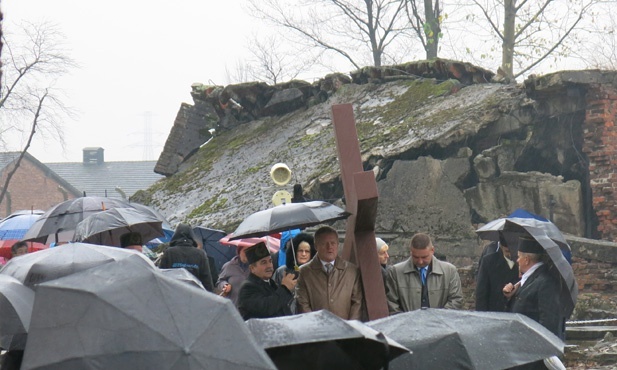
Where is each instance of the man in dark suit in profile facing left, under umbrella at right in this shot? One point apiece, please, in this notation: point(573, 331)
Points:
point(537, 294)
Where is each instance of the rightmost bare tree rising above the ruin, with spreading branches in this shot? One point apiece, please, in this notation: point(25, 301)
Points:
point(532, 31)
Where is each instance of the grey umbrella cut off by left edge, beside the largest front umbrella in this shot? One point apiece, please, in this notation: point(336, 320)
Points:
point(16, 302)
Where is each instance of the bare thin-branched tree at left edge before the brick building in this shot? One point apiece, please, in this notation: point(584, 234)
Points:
point(33, 59)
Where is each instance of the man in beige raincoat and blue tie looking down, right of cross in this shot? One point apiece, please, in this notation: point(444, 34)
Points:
point(422, 280)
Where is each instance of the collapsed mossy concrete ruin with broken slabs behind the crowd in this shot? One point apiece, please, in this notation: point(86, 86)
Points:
point(450, 149)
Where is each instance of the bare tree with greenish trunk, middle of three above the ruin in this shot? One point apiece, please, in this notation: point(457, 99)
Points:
point(425, 19)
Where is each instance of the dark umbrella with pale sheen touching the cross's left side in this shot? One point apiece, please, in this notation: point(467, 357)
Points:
point(287, 217)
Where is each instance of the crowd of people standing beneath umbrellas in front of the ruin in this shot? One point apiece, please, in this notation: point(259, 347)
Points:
point(315, 277)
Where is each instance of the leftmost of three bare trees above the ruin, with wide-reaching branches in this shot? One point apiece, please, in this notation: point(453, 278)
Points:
point(351, 29)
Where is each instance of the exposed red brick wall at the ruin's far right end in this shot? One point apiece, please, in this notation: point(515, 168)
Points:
point(601, 148)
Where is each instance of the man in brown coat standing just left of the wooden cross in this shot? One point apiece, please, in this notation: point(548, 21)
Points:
point(329, 282)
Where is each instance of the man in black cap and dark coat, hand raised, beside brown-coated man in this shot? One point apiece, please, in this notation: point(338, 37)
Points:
point(260, 296)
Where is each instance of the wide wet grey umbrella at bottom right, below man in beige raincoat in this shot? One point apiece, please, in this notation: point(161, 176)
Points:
point(452, 339)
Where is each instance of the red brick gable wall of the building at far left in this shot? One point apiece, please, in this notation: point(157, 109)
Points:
point(30, 188)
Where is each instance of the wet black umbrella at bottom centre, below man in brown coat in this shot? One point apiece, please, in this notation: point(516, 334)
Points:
point(322, 340)
